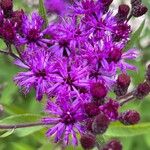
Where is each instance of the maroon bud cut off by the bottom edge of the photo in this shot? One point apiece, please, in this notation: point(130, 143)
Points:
point(113, 145)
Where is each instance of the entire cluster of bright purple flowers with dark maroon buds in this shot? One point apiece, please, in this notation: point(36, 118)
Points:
point(75, 61)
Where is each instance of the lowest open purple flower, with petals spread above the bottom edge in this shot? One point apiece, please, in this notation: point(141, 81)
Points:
point(67, 118)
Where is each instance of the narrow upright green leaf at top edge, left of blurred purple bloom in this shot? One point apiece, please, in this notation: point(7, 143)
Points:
point(42, 12)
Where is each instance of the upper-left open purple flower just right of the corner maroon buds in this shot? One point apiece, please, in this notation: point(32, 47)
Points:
point(32, 32)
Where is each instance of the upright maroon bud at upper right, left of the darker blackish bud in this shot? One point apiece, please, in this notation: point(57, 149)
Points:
point(123, 12)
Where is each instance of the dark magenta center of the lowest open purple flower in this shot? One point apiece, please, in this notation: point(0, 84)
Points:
point(68, 118)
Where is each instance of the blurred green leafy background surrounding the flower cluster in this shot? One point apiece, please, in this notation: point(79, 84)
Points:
point(19, 108)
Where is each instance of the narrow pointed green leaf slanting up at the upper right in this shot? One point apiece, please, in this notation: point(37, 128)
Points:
point(135, 36)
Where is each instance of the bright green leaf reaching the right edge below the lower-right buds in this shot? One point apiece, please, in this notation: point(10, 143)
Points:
point(120, 130)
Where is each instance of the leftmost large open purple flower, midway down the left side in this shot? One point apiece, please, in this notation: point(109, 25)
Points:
point(37, 63)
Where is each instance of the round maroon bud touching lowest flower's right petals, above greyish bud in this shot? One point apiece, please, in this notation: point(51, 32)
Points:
point(91, 109)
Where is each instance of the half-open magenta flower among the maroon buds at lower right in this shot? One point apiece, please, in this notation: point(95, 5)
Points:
point(110, 109)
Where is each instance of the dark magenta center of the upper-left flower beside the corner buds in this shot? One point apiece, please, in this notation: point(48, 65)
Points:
point(33, 35)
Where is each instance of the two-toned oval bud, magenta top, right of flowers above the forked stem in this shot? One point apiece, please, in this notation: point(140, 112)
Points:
point(122, 84)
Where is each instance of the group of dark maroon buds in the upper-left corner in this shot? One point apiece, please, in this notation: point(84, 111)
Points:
point(10, 21)
